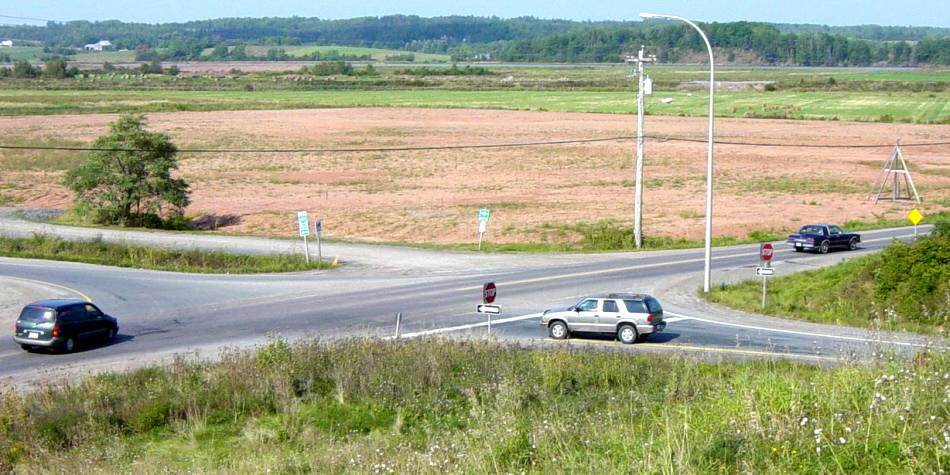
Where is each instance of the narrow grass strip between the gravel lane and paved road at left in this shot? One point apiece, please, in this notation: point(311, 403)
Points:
point(122, 255)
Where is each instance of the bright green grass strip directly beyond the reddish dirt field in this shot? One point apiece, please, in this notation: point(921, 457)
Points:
point(859, 106)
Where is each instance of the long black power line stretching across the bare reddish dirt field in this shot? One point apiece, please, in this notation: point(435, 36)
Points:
point(465, 146)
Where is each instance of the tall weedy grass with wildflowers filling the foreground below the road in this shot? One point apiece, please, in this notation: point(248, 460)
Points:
point(429, 406)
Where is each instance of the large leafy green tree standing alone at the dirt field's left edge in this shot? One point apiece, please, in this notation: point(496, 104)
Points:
point(129, 180)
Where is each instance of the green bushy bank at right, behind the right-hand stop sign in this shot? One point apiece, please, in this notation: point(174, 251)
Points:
point(906, 287)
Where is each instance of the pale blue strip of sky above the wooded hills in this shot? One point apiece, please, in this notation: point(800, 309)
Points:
point(829, 12)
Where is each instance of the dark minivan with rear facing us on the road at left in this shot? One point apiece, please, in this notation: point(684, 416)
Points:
point(62, 324)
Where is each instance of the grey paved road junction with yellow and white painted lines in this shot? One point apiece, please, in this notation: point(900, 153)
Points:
point(165, 313)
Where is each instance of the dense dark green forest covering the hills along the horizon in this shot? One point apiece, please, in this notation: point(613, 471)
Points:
point(516, 39)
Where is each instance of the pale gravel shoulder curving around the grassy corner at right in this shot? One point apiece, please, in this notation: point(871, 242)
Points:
point(681, 296)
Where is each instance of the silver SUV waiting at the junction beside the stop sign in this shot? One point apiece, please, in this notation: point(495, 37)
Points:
point(632, 317)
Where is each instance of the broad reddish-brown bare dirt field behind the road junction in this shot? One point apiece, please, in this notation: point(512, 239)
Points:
point(534, 192)
